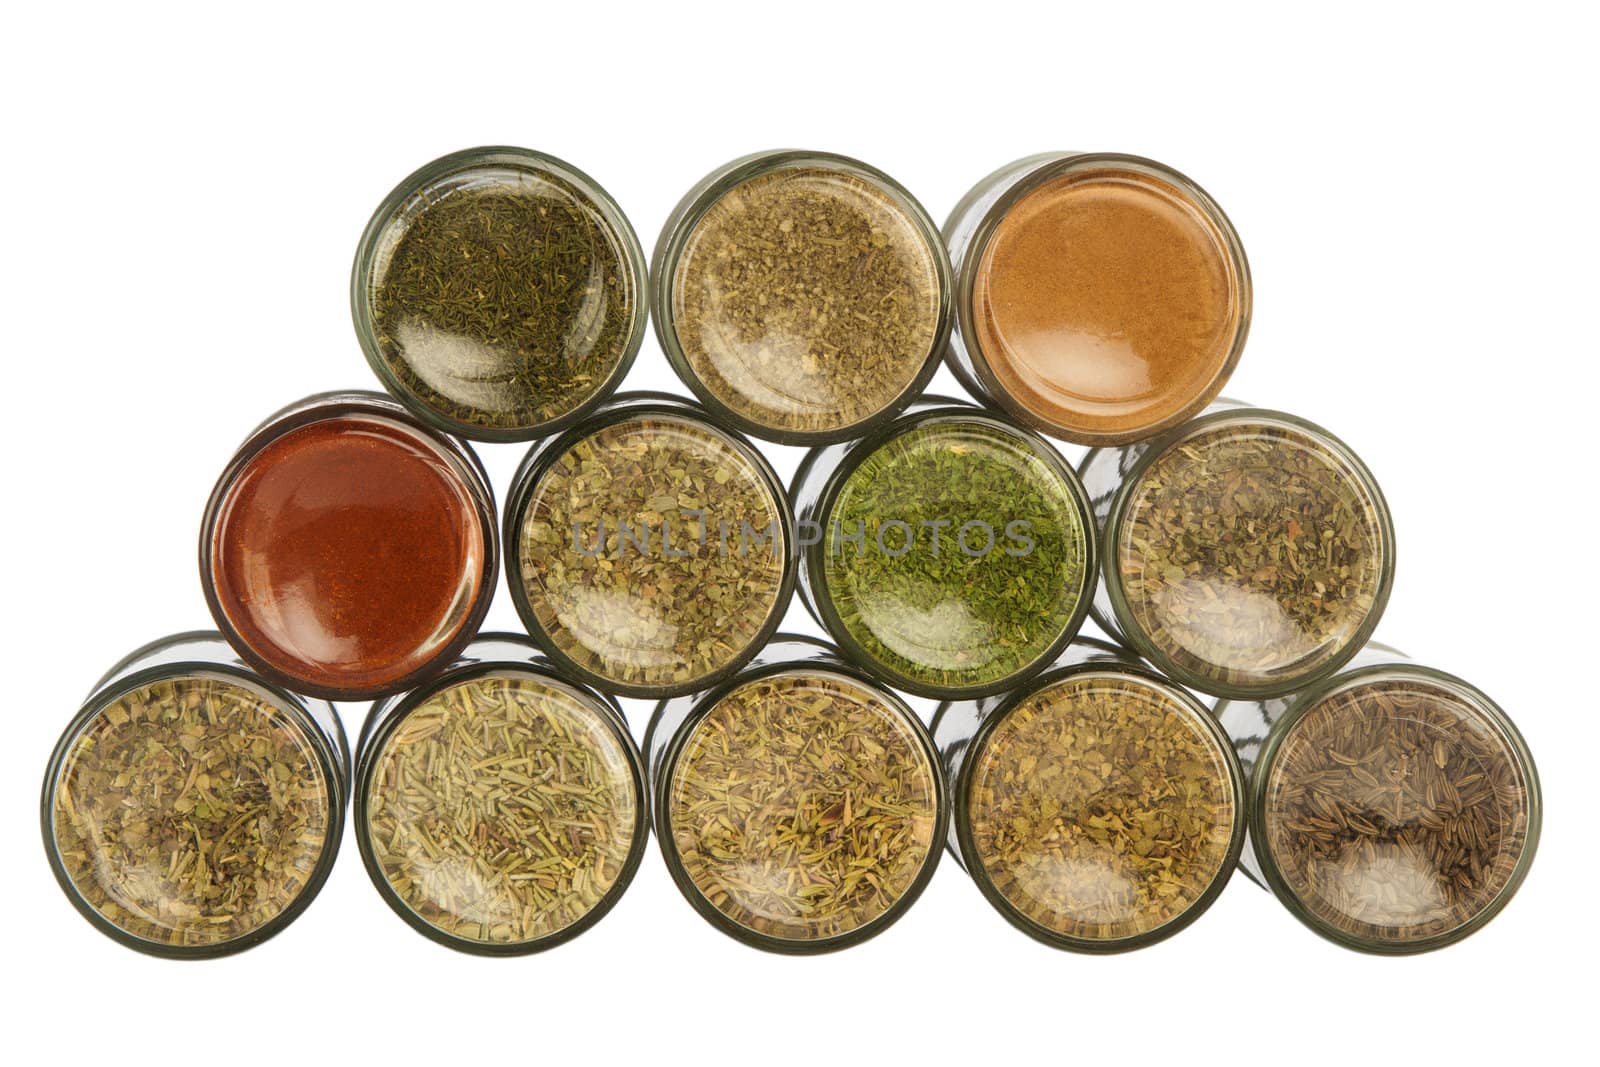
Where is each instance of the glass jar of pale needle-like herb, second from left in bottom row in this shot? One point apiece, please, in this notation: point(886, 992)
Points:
point(502, 807)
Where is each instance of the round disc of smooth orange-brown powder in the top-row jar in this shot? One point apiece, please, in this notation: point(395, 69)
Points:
point(1106, 303)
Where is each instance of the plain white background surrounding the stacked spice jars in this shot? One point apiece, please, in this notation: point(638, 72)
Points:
point(1417, 198)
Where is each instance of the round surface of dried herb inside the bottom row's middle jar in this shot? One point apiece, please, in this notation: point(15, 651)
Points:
point(804, 807)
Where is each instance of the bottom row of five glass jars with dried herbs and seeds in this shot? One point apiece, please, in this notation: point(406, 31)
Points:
point(194, 810)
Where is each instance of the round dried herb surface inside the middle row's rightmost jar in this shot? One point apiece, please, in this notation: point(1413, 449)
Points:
point(1252, 553)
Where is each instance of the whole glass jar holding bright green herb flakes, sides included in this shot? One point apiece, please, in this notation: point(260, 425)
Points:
point(950, 553)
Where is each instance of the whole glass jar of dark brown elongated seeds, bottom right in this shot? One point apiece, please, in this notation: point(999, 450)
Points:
point(1394, 807)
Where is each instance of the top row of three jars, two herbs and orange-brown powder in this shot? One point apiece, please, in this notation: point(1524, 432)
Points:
point(806, 298)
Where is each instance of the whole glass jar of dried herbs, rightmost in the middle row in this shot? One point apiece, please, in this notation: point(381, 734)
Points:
point(1247, 554)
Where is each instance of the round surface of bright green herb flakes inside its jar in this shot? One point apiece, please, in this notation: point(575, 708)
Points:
point(956, 554)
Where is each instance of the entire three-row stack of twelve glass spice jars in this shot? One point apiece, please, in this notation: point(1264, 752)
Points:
point(351, 548)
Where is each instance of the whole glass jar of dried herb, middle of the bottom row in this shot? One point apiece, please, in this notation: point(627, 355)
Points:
point(799, 805)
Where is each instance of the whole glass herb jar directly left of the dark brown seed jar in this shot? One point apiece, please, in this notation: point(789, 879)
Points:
point(1100, 809)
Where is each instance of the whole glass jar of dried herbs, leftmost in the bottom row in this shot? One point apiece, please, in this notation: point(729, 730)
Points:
point(191, 809)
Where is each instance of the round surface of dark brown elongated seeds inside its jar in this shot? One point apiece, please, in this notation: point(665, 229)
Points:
point(1396, 810)
